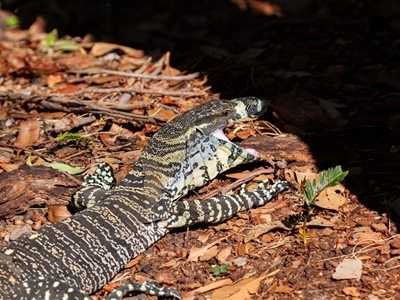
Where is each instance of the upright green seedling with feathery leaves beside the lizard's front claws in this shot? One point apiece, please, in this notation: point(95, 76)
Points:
point(328, 178)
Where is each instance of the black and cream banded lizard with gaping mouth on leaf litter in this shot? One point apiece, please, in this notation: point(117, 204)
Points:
point(77, 256)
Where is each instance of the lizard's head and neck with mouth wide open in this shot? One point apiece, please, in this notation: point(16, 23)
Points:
point(192, 149)
